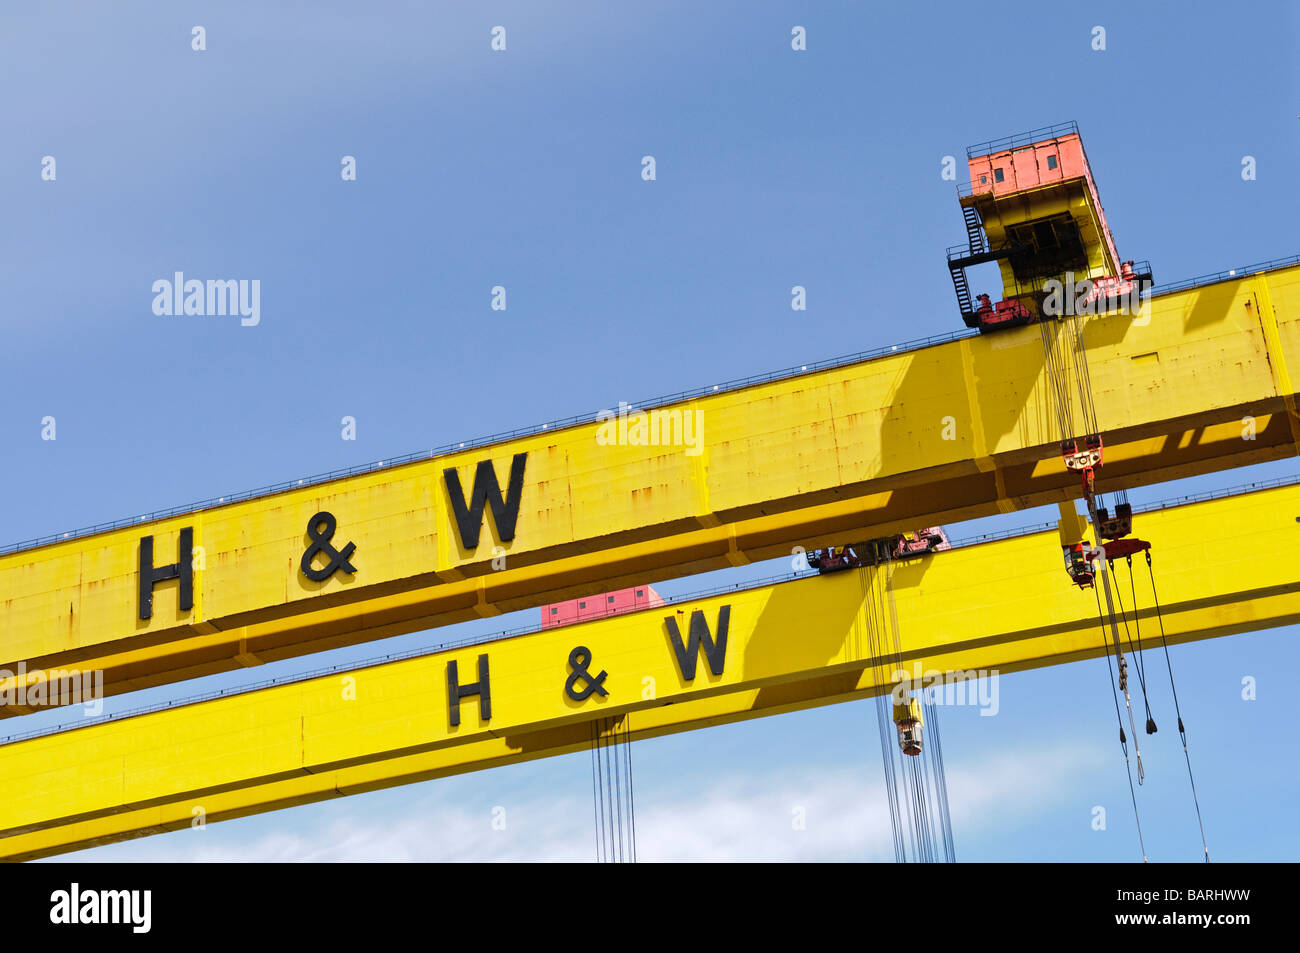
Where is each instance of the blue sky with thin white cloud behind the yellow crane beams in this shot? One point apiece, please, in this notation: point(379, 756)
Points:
point(522, 168)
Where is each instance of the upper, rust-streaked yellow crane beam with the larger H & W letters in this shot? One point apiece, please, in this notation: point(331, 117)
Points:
point(1198, 383)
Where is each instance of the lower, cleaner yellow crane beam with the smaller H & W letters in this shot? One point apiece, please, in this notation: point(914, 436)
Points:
point(1224, 566)
